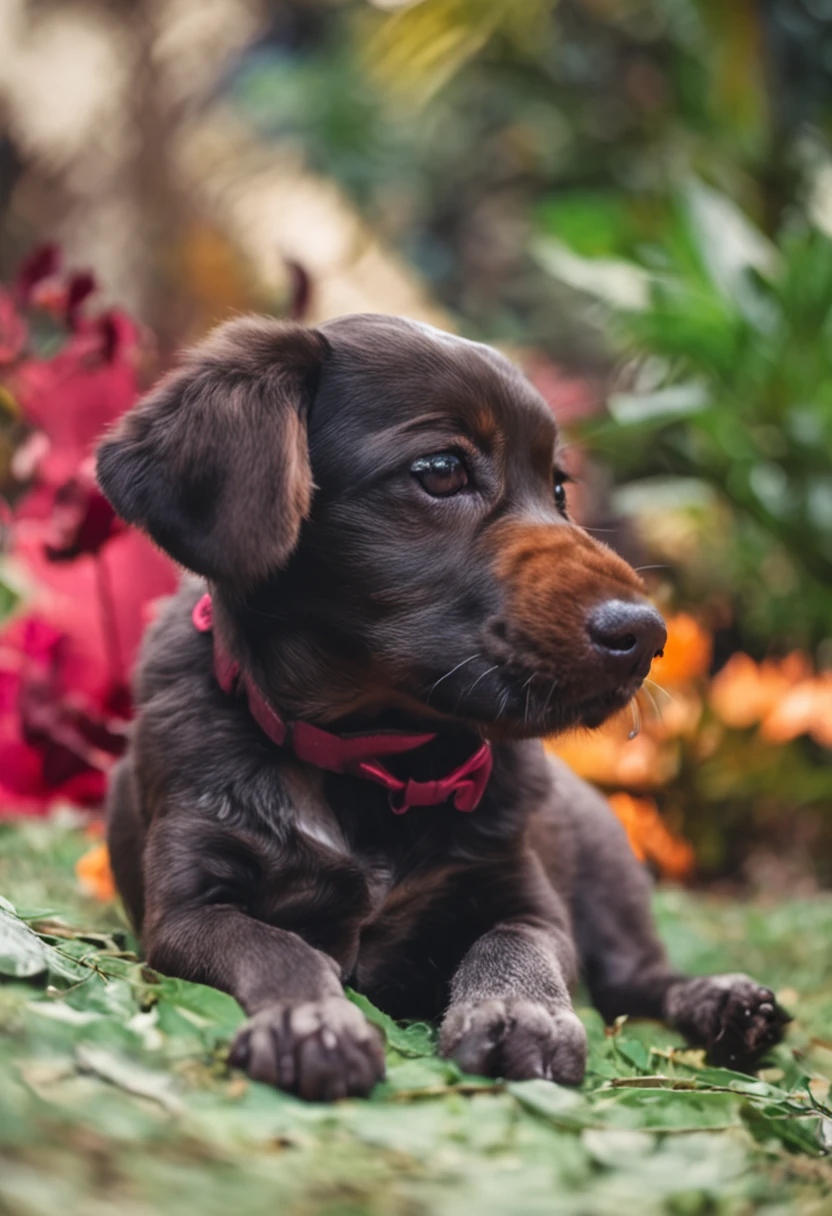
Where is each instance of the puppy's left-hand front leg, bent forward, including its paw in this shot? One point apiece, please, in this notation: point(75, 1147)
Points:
point(303, 1035)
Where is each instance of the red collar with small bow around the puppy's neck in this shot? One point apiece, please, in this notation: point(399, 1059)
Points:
point(356, 755)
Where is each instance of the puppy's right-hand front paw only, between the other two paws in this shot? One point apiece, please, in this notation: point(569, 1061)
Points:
point(516, 1040)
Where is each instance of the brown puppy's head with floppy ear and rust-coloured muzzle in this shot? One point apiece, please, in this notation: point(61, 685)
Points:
point(385, 503)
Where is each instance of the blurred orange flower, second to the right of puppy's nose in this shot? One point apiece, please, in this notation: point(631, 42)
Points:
point(744, 693)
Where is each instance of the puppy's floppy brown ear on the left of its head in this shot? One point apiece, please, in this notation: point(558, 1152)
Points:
point(213, 464)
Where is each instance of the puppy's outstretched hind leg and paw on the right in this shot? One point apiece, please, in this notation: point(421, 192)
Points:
point(626, 966)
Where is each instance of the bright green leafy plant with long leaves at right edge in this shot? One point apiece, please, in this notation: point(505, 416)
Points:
point(737, 396)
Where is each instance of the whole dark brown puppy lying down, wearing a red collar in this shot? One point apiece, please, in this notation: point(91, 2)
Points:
point(380, 513)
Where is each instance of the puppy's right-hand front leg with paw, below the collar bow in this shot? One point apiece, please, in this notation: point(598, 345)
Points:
point(510, 1012)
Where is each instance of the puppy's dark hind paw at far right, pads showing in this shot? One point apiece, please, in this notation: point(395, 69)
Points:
point(732, 1016)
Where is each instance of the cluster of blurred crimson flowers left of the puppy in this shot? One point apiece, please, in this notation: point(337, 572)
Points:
point(65, 668)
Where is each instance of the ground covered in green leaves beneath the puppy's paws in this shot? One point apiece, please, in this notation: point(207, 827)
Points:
point(115, 1094)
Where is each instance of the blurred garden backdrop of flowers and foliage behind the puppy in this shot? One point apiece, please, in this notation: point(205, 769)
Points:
point(633, 199)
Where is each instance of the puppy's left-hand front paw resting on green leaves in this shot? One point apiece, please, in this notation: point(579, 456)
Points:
point(322, 1051)
